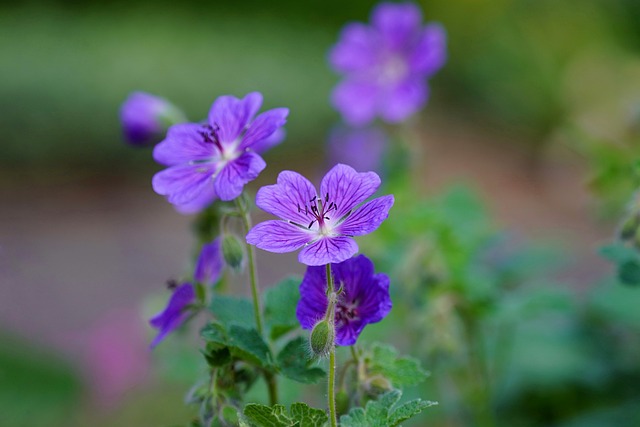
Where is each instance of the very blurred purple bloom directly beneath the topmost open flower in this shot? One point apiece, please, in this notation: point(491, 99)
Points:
point(361, 148)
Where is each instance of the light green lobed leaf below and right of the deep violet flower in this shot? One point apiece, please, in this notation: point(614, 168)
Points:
point(402, 371)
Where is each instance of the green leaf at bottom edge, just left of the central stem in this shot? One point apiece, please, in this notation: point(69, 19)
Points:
point(299, 415)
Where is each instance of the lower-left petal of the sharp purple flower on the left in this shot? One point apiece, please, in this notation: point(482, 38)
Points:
point(182, 184)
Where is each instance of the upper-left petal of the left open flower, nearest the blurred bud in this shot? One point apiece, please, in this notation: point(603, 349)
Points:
point(183, 144)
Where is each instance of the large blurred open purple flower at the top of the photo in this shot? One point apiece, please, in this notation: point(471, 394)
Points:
point(386, 65)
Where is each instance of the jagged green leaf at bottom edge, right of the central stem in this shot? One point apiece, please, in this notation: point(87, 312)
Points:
point(384, 412)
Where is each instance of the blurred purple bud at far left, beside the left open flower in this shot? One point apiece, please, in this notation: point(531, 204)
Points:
point(145, 117)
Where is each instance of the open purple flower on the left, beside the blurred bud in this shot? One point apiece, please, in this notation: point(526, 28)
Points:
point(217, 157)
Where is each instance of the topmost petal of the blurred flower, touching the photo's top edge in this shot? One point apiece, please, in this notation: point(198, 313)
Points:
point(397, 23)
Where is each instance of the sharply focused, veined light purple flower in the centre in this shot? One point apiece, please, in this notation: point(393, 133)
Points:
point(322, 224)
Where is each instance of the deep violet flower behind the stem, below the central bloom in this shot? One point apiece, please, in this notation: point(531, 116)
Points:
point(364, 297)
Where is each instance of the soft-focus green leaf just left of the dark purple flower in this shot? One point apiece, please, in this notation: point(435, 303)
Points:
point(280, 307)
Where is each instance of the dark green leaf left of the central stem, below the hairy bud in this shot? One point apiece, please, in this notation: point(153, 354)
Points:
point(294, 362)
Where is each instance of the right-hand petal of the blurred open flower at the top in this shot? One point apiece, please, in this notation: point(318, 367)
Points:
point(430, 53)
